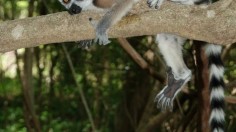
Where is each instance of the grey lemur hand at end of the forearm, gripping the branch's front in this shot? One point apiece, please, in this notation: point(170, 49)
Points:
point(101, 35)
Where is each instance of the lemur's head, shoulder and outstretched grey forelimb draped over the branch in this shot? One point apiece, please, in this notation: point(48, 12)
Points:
point(115, 10)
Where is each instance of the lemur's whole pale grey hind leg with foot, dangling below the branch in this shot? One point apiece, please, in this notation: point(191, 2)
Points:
point(178, 74)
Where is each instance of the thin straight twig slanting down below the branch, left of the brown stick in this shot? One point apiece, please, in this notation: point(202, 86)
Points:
point(81, 92)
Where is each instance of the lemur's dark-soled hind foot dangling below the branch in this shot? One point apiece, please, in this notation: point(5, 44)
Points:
point(165, 98)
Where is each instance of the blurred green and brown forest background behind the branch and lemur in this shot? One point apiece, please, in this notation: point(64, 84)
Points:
point(40, 91)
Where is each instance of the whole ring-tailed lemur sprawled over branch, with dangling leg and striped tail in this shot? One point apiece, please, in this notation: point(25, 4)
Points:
point(171, 48)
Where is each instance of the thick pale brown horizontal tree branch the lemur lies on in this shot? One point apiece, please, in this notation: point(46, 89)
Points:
point(214, 24)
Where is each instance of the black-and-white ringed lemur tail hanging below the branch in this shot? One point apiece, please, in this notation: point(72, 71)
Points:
point(216, 71)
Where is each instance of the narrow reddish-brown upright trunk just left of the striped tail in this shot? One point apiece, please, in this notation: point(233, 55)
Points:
point(202, 85)
